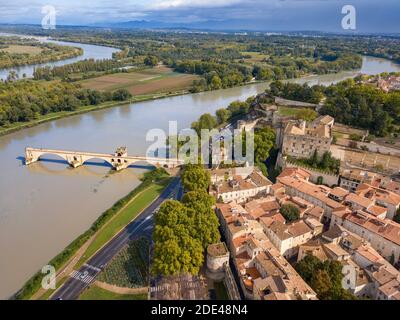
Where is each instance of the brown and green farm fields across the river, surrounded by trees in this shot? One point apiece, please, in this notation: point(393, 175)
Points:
point(141, 82)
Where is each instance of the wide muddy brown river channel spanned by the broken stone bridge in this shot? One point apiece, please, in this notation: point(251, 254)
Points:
point(45, 206)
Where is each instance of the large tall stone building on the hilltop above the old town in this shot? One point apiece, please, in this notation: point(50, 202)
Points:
point(302, 139)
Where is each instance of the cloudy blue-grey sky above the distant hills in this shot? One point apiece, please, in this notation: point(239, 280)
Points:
point(267, 15)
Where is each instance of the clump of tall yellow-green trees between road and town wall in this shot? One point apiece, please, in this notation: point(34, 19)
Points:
point(183, 230)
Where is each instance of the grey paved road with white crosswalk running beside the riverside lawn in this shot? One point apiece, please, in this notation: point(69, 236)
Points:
point(141, 226)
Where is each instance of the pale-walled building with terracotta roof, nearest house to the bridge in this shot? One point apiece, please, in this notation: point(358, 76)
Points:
point(229, 187)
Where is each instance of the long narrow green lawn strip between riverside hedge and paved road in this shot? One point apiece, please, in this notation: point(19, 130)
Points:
point(123, 218)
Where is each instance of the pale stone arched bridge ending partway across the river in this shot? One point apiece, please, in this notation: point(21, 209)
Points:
point(119, 160)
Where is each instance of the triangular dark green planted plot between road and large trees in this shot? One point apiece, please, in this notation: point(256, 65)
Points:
point(130, 267)
